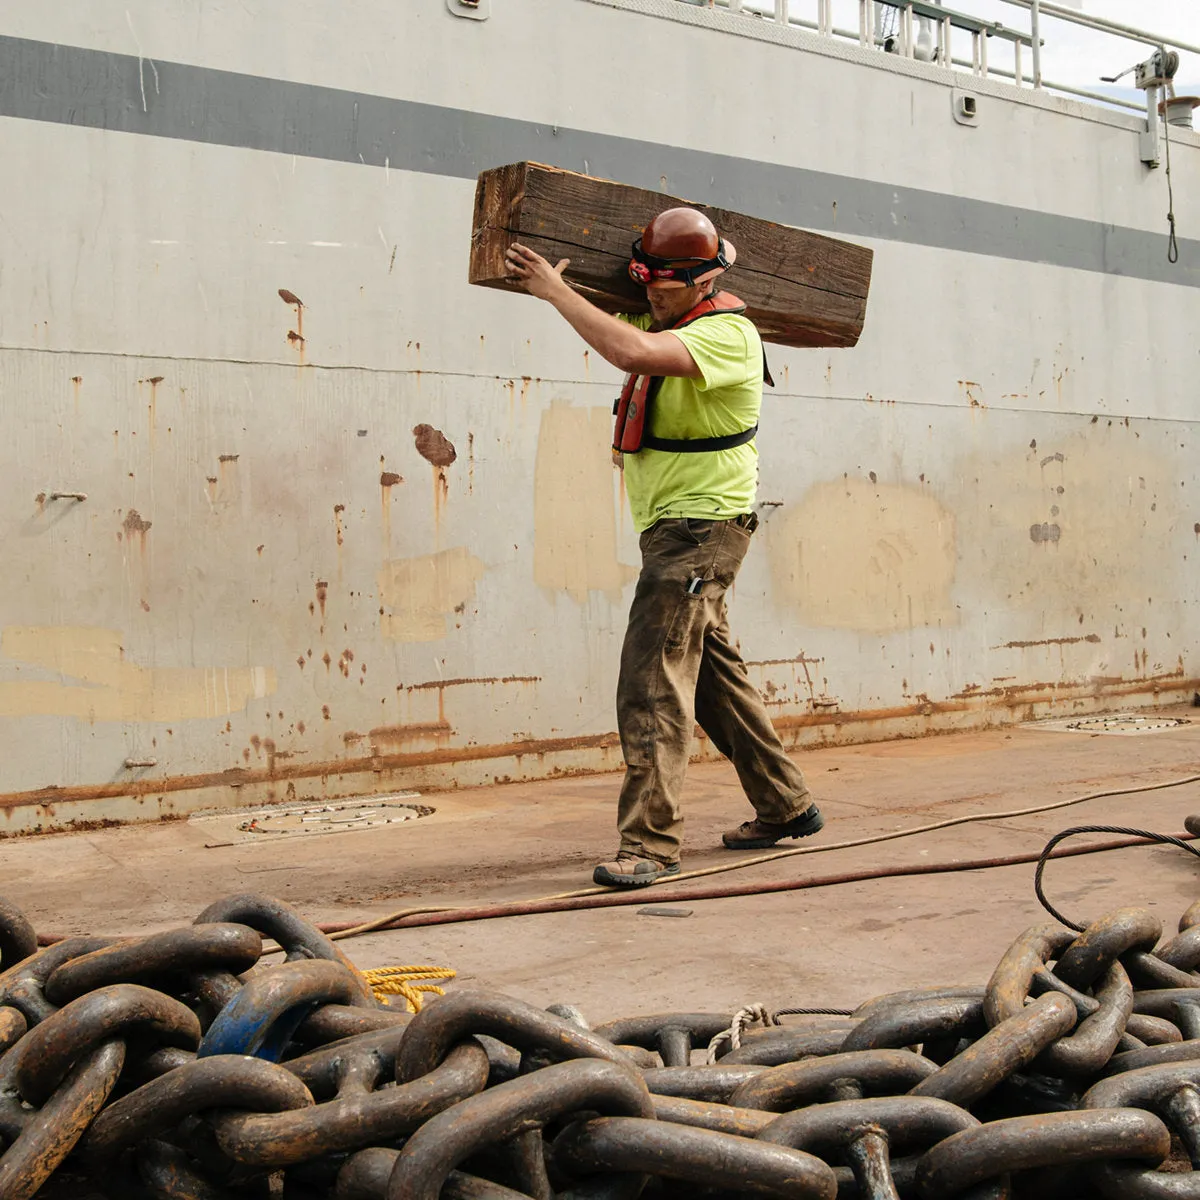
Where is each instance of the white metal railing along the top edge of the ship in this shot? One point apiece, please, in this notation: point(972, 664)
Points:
point(929, 31)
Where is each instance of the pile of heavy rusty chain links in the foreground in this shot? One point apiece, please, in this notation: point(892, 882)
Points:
point(537, 1105)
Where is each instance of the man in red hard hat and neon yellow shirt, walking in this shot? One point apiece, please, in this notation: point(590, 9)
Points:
point(686, 439)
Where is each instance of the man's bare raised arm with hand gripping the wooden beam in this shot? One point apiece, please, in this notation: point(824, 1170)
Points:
point(625, 346)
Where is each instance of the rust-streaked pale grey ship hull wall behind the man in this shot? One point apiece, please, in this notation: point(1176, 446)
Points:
point(244, 659)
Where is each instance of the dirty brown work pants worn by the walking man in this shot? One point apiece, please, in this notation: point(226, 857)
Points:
point(679, 668)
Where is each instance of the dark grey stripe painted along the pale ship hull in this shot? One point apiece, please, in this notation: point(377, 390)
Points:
point(97, 89)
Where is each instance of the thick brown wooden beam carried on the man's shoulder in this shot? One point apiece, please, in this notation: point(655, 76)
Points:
point(801, 289)
